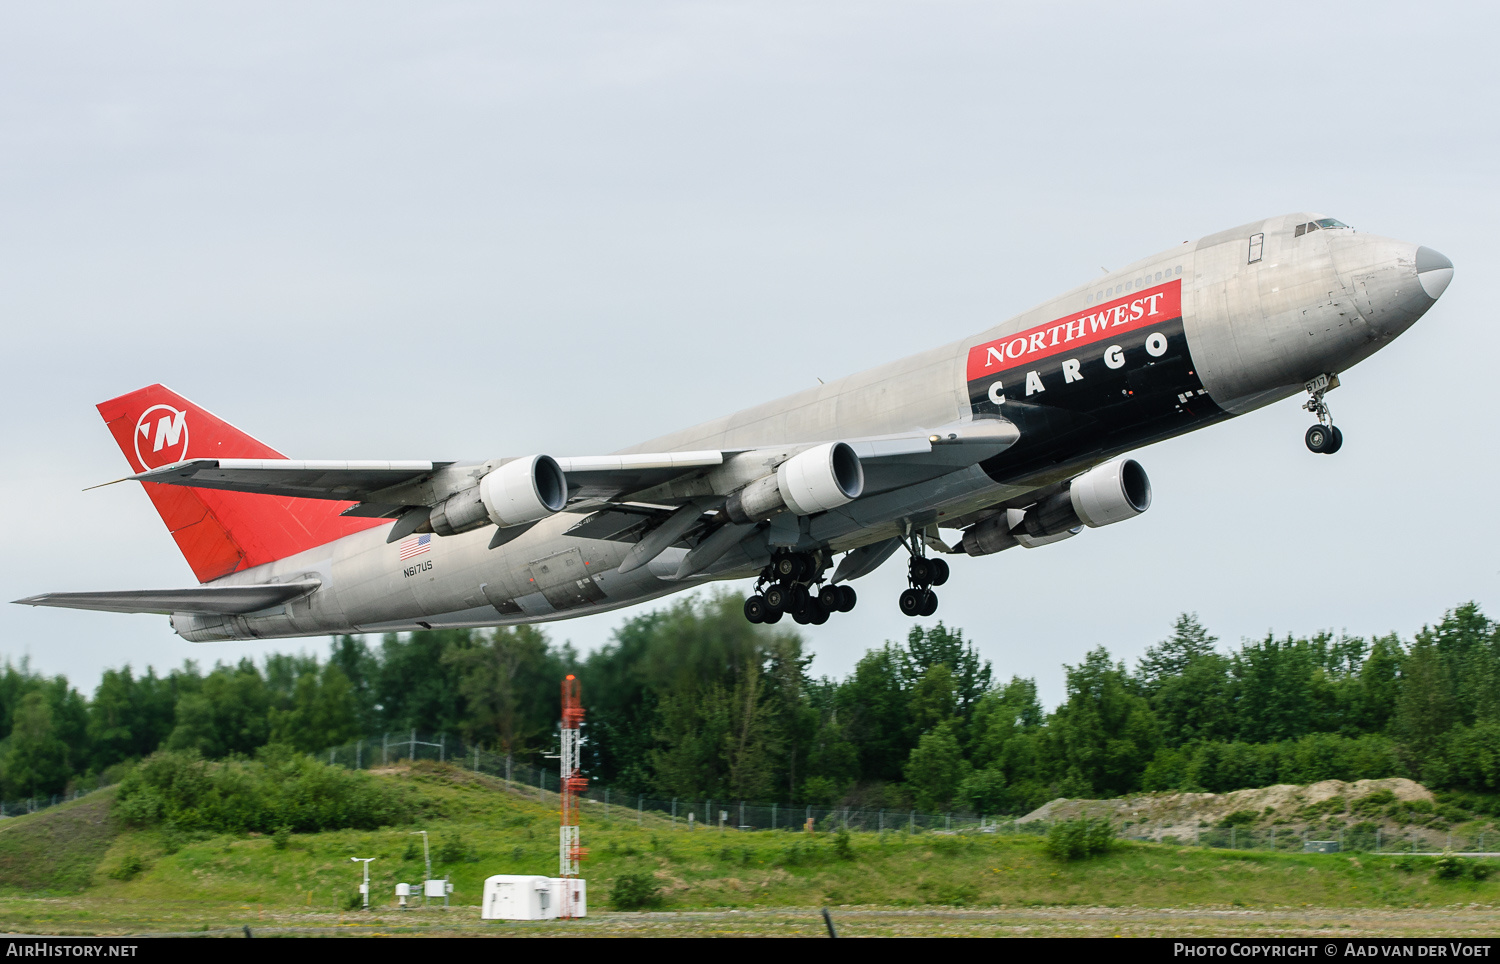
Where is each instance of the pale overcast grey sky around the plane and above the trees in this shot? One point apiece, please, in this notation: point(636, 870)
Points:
point(475, 230)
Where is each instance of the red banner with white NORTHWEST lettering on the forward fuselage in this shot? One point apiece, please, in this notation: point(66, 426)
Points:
point(1105, 322)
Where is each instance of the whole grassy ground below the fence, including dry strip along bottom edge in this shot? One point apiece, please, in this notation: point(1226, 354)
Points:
point(71, 870)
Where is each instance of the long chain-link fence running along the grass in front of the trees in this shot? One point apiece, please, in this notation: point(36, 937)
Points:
point(730, 815)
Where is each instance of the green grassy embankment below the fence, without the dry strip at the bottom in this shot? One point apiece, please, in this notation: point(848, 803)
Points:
point(71, 870)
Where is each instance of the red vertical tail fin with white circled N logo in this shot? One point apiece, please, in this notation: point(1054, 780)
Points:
point(218, 533)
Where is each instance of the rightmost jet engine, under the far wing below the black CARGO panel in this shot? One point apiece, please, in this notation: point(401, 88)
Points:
point(1105, 495)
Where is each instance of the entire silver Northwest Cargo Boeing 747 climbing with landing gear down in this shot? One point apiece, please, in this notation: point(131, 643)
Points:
point(1013, 437)
